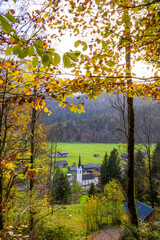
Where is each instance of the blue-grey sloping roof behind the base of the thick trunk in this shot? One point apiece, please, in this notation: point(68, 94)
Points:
point(143, 210)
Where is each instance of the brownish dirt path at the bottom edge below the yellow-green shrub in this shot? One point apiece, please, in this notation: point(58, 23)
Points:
point(106, 234)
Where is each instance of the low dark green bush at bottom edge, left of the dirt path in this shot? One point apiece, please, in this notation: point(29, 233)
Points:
point(59, 232)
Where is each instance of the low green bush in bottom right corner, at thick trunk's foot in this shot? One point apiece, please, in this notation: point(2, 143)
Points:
point(146, 231)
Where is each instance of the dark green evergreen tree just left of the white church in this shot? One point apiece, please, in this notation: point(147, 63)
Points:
point(60, 188)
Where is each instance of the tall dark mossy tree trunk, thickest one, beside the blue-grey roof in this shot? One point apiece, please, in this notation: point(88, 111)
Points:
point(132, 208)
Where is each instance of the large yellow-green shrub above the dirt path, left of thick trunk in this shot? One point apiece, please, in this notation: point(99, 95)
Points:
point(104, 209)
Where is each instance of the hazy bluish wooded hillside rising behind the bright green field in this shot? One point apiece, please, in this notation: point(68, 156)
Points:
point(101, 122)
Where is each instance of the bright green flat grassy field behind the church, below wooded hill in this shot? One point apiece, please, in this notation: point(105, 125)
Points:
point(87, 150)
